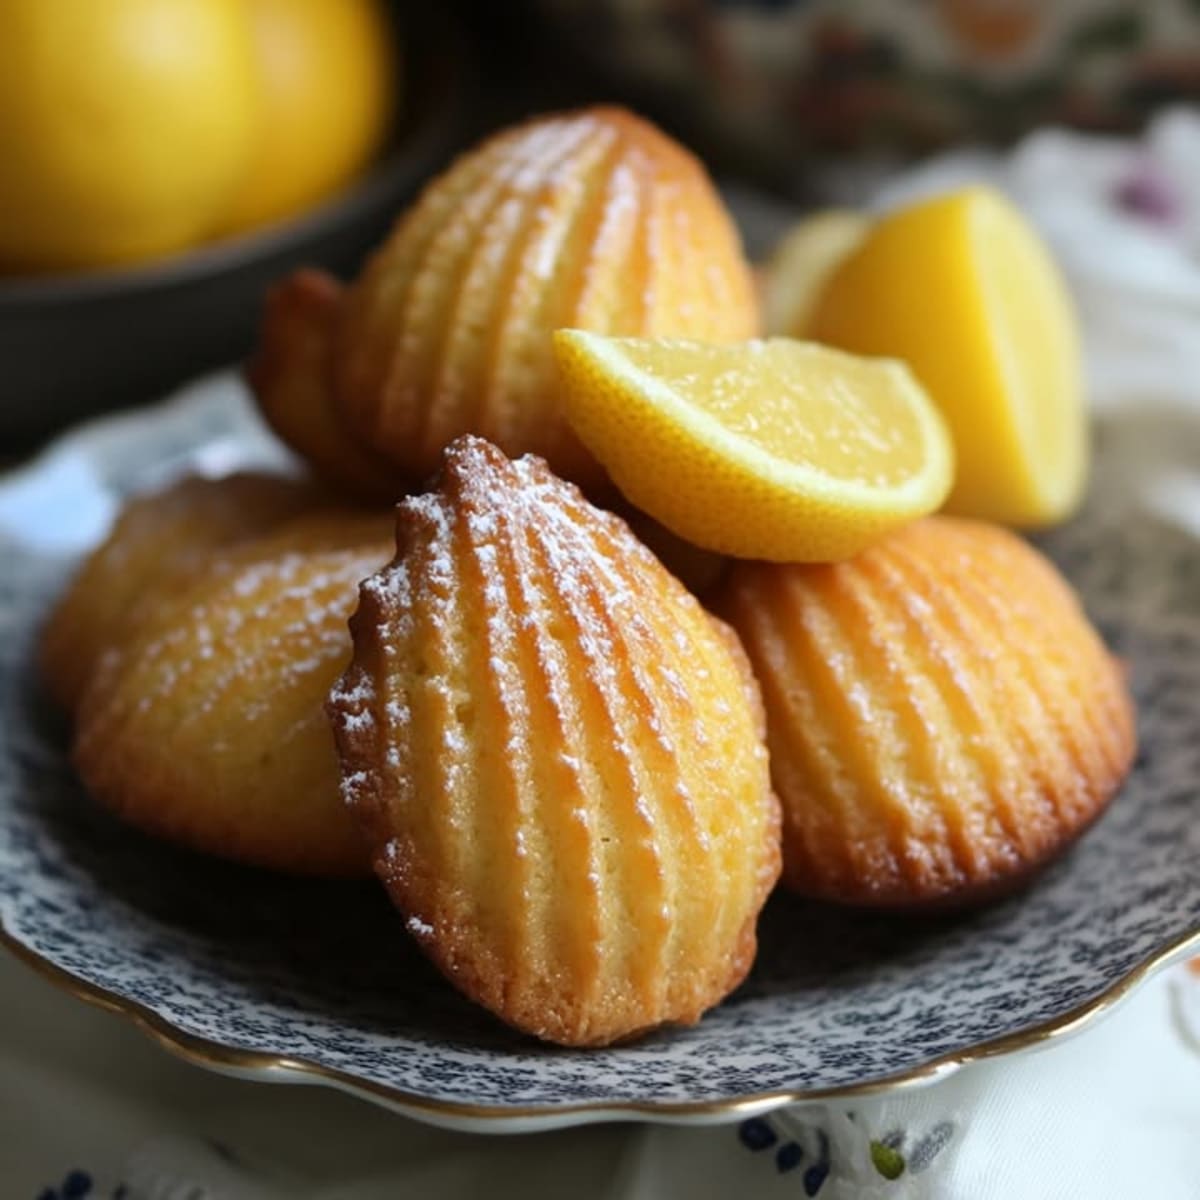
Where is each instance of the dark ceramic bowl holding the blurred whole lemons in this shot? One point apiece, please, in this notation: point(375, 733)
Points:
point(76, 345)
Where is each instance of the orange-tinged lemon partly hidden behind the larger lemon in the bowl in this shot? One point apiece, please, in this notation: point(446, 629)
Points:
point(329, 81)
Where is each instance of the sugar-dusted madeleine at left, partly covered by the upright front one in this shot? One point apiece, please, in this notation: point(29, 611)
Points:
point(207, 724)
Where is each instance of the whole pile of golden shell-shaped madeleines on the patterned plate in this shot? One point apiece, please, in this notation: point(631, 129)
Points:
point(578, 783)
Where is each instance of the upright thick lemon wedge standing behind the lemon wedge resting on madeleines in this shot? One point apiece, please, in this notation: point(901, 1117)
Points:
point(963, 290)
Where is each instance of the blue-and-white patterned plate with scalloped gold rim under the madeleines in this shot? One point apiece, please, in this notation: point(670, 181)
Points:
point(265, 976)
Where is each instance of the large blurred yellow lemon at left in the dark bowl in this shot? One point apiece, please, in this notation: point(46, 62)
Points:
point(125, 127)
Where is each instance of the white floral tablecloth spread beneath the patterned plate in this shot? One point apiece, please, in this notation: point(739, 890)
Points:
point(89, 1108)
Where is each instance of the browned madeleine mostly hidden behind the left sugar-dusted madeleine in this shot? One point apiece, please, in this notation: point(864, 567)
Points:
point(158, 542)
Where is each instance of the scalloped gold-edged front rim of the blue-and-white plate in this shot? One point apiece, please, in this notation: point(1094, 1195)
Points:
point(230, 1060)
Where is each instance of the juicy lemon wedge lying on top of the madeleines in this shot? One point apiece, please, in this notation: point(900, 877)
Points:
point(770, 449)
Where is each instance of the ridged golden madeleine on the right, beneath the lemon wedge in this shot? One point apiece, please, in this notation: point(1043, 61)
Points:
point(941, 716)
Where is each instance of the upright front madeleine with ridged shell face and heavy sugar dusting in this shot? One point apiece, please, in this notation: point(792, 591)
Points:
point(557, 758)
